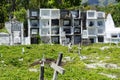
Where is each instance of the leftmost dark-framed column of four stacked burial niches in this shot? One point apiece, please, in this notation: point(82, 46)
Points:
point(33, 24)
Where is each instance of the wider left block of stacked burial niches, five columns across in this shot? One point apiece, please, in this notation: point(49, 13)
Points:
point(55, 26)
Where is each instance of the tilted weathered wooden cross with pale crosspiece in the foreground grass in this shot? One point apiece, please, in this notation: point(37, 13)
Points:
point(57, 68)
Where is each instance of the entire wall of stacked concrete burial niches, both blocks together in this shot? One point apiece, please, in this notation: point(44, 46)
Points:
point(66, 26)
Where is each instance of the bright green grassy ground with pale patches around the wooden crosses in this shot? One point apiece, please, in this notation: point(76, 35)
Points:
point(96, 62)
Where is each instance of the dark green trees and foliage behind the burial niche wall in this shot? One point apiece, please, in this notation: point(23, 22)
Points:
point(8, 8)
